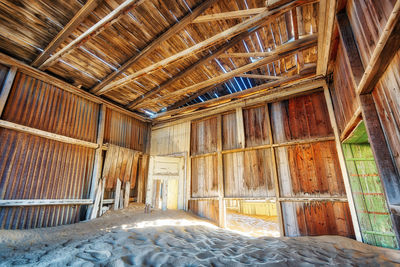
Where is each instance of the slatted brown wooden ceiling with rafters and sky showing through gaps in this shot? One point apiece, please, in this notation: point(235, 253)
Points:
point(152, 56)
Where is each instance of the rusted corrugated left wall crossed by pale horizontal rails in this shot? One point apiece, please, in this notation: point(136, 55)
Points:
point(36, 167)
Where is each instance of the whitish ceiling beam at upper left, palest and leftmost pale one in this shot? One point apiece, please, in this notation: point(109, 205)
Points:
point(107, 21)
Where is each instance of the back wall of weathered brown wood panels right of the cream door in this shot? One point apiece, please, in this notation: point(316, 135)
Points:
point(287, 145)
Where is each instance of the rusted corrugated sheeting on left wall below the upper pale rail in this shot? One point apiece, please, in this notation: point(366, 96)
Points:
point(32, 167)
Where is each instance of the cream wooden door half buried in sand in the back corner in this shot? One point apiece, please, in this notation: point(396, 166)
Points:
point(169, 172)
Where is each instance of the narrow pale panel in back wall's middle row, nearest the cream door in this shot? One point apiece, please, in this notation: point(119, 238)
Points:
point(204, 176)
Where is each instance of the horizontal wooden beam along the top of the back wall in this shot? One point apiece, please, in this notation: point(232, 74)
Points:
point(263, 95)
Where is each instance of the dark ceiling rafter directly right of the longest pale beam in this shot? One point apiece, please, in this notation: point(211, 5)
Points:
point(188, 70)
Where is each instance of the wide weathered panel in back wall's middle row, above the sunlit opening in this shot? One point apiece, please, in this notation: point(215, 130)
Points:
point(248, 174)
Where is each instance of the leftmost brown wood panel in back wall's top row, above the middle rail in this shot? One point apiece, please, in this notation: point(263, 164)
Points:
point(204, 136)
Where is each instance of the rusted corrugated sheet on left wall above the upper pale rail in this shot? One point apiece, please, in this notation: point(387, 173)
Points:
point(40, 105)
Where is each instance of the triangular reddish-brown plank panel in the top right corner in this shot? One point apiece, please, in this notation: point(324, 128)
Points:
point(368, 19)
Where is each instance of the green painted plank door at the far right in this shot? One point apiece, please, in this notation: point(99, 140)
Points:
point(369, 197)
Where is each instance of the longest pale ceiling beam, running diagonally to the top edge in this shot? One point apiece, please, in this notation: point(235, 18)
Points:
point(237, 29)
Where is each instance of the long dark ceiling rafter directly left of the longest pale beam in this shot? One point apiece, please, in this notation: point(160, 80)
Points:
point(155, 43)
